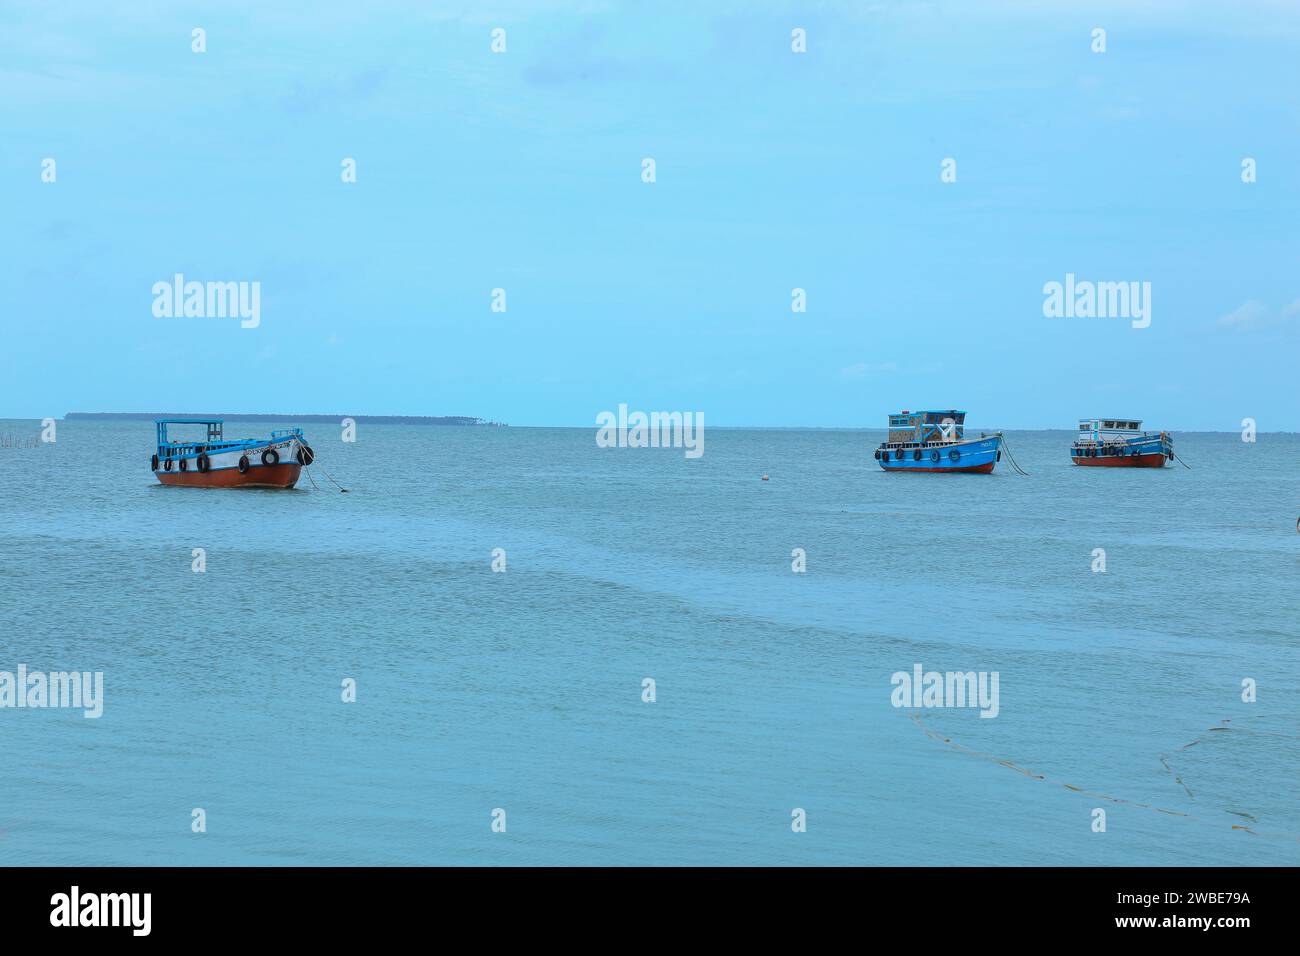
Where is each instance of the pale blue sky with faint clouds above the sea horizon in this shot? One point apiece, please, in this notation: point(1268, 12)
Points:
point(774, 171)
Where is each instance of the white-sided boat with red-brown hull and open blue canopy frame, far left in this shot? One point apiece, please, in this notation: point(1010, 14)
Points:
point(216, 462)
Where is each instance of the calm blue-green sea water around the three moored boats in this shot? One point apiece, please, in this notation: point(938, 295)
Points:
point(523, 690)
